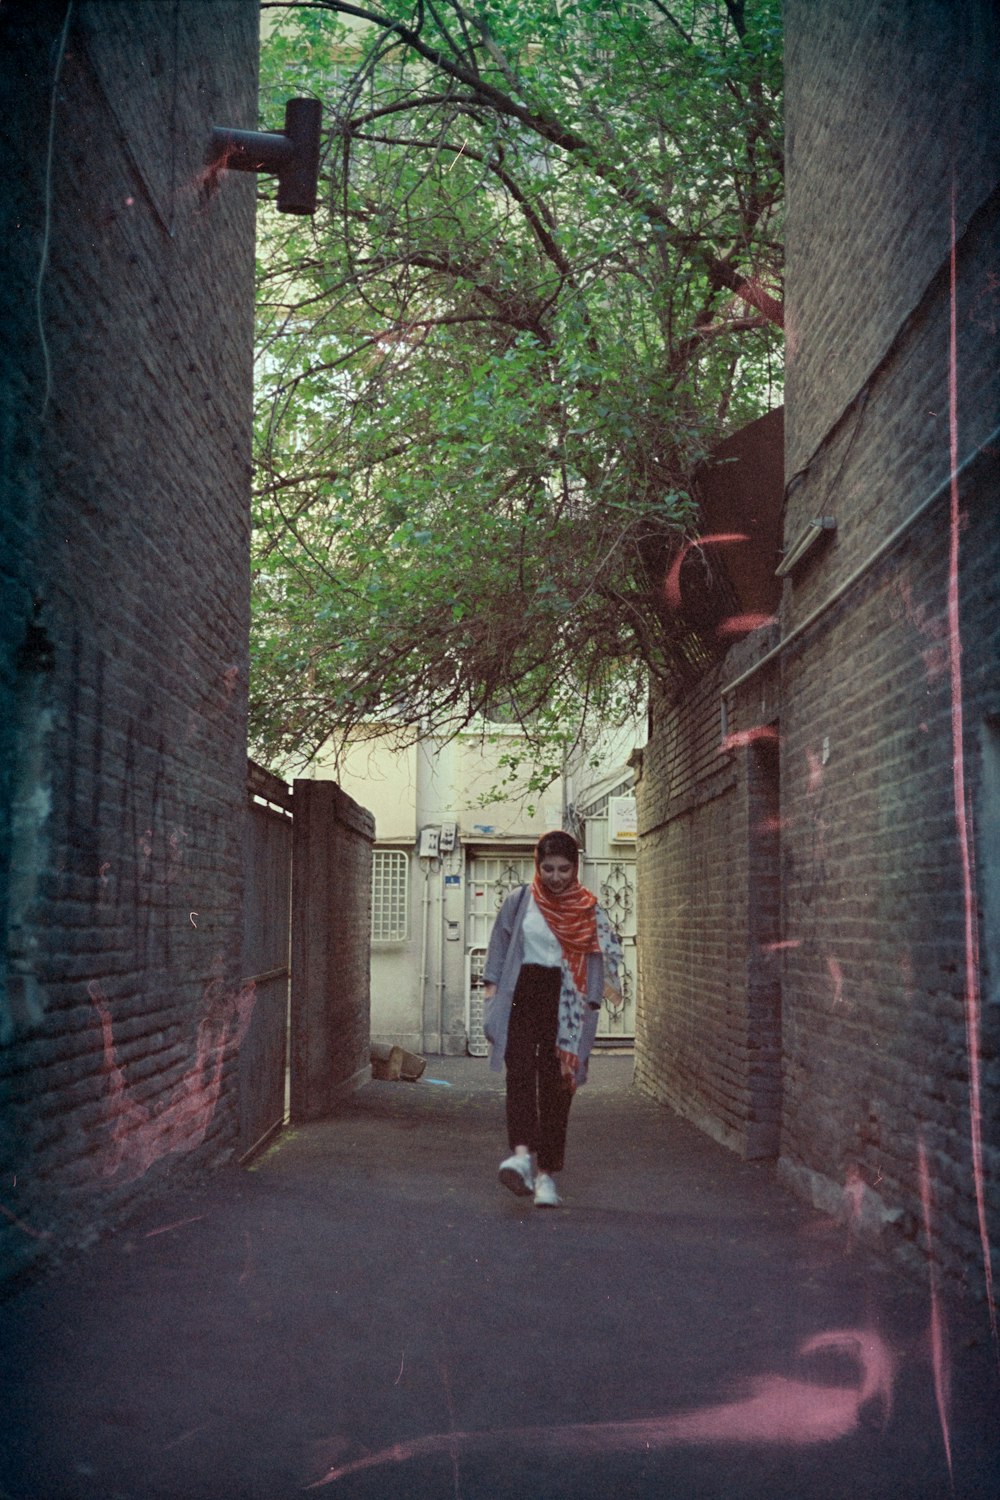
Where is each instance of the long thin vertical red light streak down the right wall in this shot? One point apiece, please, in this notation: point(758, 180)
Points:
point(963, 821)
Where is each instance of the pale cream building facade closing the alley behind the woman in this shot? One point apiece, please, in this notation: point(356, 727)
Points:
point(455, 835)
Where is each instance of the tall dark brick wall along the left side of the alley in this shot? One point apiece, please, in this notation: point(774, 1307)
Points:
point(125, 419)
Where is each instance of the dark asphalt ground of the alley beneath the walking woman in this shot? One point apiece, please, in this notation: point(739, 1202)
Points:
point(370, 1313)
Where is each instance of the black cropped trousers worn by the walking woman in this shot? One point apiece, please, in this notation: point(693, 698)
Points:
point(537, 1099)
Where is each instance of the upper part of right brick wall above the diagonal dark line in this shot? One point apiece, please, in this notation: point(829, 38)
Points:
point(887, 106)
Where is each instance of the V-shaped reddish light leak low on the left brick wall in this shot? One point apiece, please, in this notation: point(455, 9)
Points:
point(139, 1136)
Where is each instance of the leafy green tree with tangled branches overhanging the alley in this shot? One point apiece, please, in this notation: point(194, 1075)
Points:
point(545, 281)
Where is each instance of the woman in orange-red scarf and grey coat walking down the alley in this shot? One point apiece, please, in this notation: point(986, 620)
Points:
point(552, 959)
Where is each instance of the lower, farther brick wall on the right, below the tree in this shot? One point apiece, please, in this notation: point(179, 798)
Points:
point(708, 1016)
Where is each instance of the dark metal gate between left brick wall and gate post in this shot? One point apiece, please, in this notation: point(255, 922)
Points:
point(266, 958)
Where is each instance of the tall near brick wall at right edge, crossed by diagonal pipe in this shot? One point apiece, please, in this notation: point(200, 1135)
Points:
point(876, 989)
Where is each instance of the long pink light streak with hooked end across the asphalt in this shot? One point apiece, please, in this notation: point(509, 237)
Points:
point(777, 1411)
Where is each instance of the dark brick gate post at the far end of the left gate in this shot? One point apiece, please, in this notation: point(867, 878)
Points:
point(332, 922)
